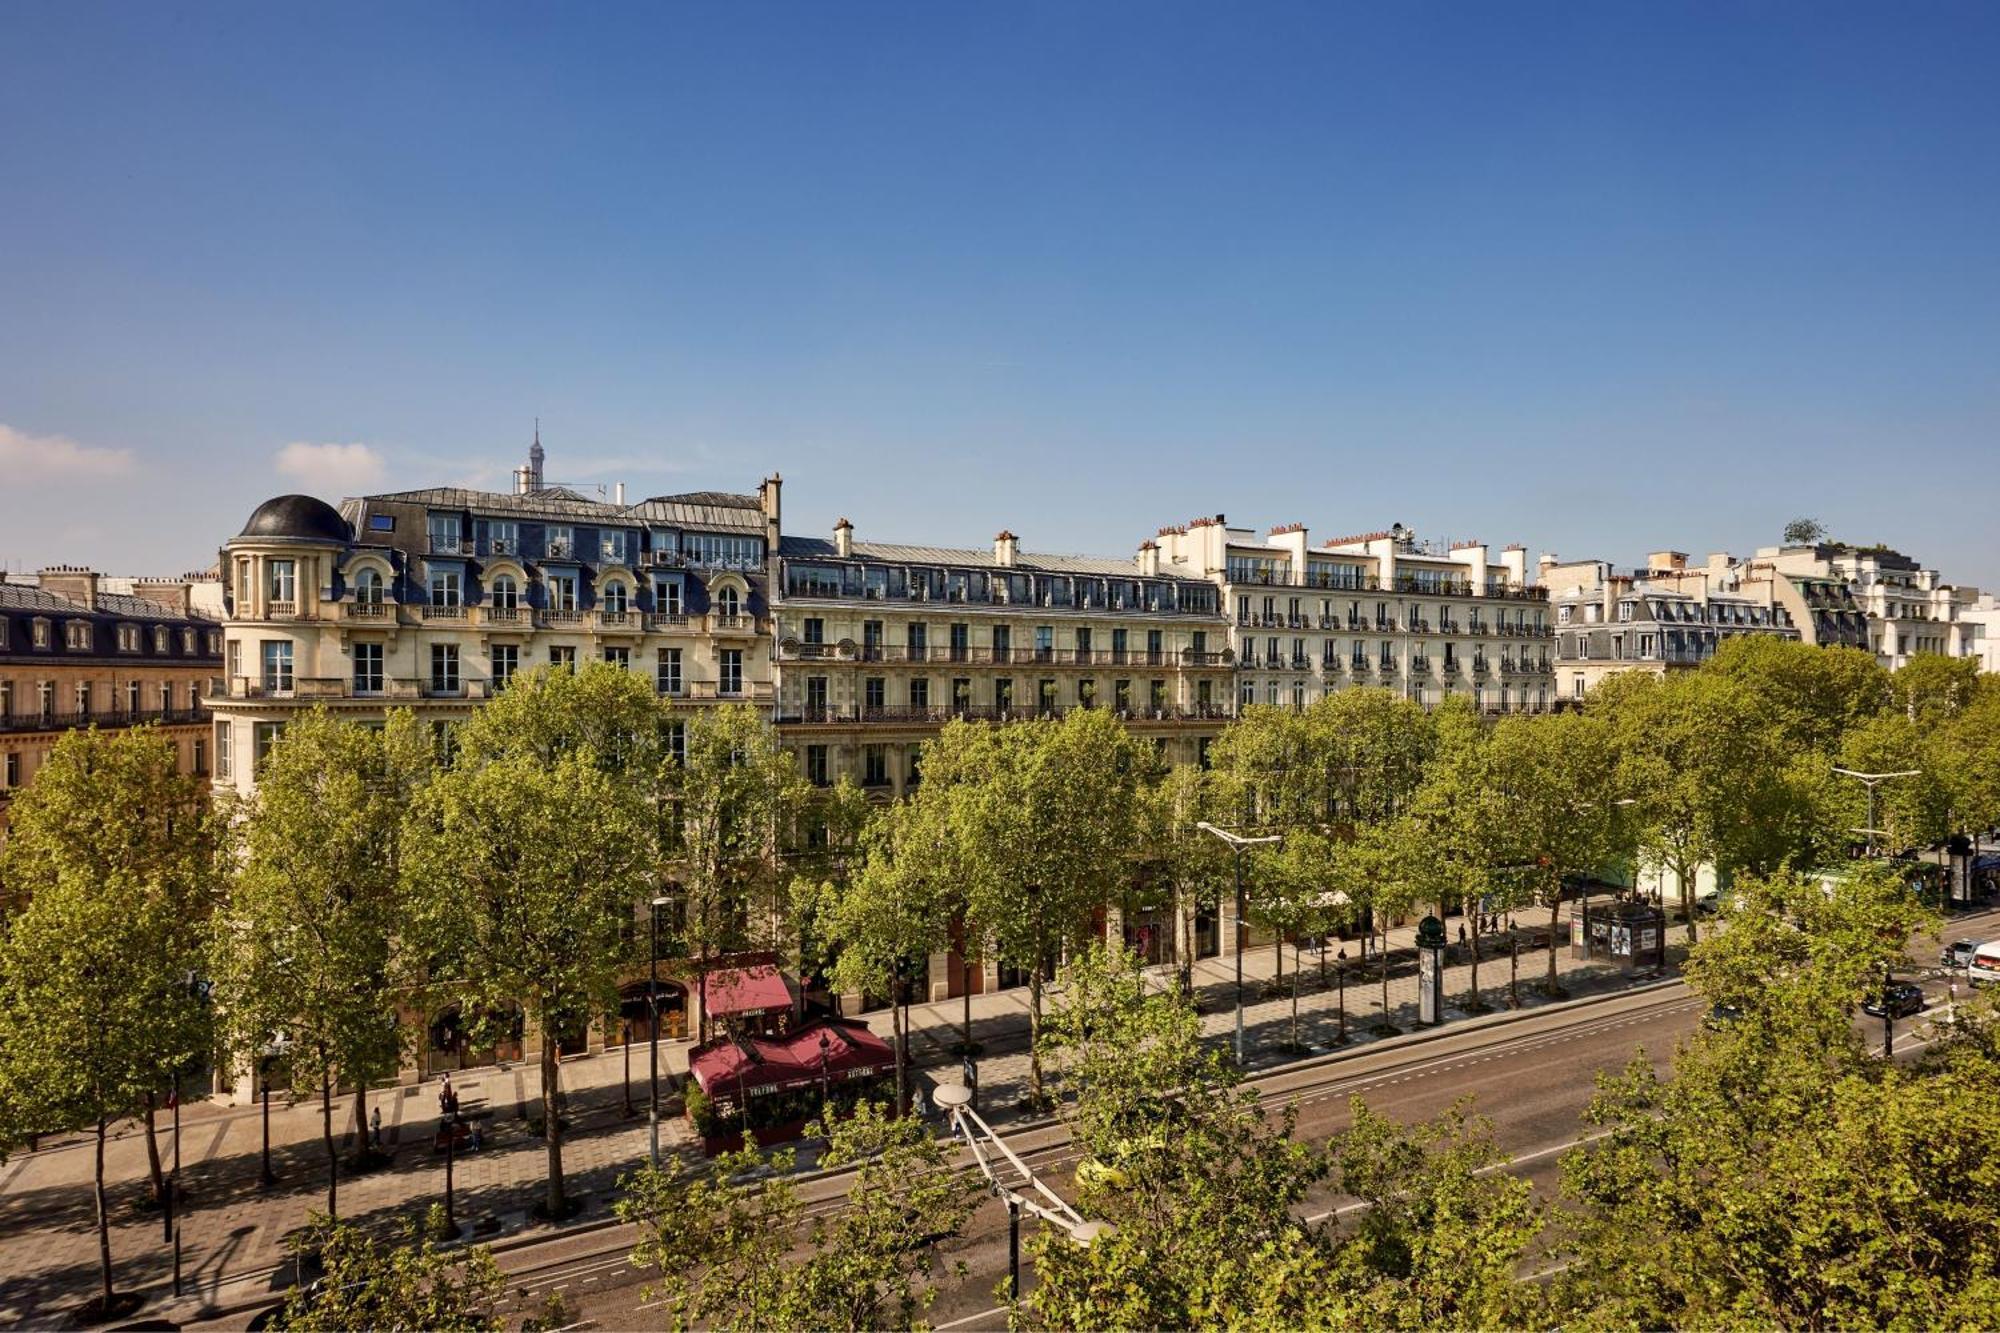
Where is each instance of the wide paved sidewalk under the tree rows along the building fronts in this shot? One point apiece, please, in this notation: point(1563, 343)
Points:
point(233, 1230)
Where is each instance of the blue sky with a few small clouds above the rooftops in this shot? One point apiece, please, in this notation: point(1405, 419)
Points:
point(1591, 277)
